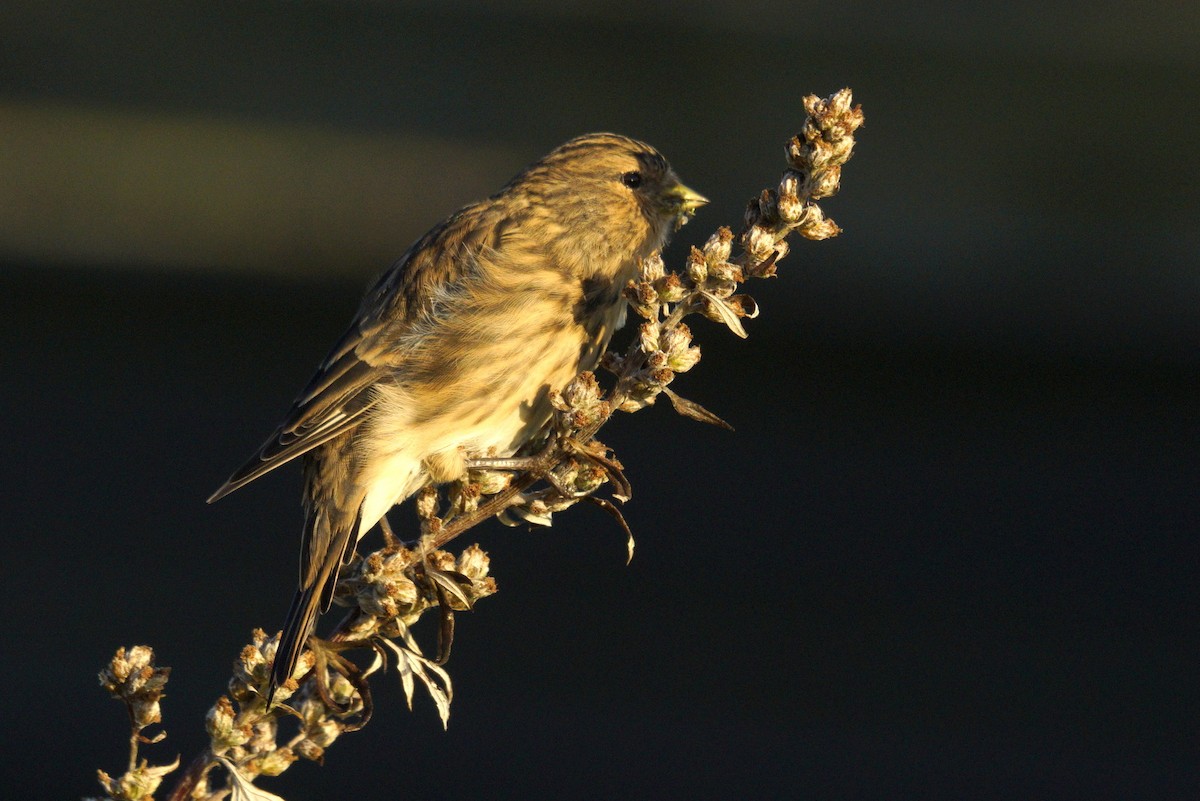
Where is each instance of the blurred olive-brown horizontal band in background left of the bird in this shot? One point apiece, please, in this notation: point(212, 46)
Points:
point(95, 185)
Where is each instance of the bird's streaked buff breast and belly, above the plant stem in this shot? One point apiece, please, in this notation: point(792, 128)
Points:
point(481, 376)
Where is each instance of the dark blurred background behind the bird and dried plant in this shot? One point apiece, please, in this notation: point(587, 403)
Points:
point(951, 551)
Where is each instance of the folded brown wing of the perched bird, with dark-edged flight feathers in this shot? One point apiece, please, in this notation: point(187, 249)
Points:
point(340, 394)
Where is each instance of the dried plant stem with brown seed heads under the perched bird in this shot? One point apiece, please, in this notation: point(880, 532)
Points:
point(389, 591)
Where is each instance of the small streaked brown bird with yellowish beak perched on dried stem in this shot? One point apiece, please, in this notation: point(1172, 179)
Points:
point(457, 347)
